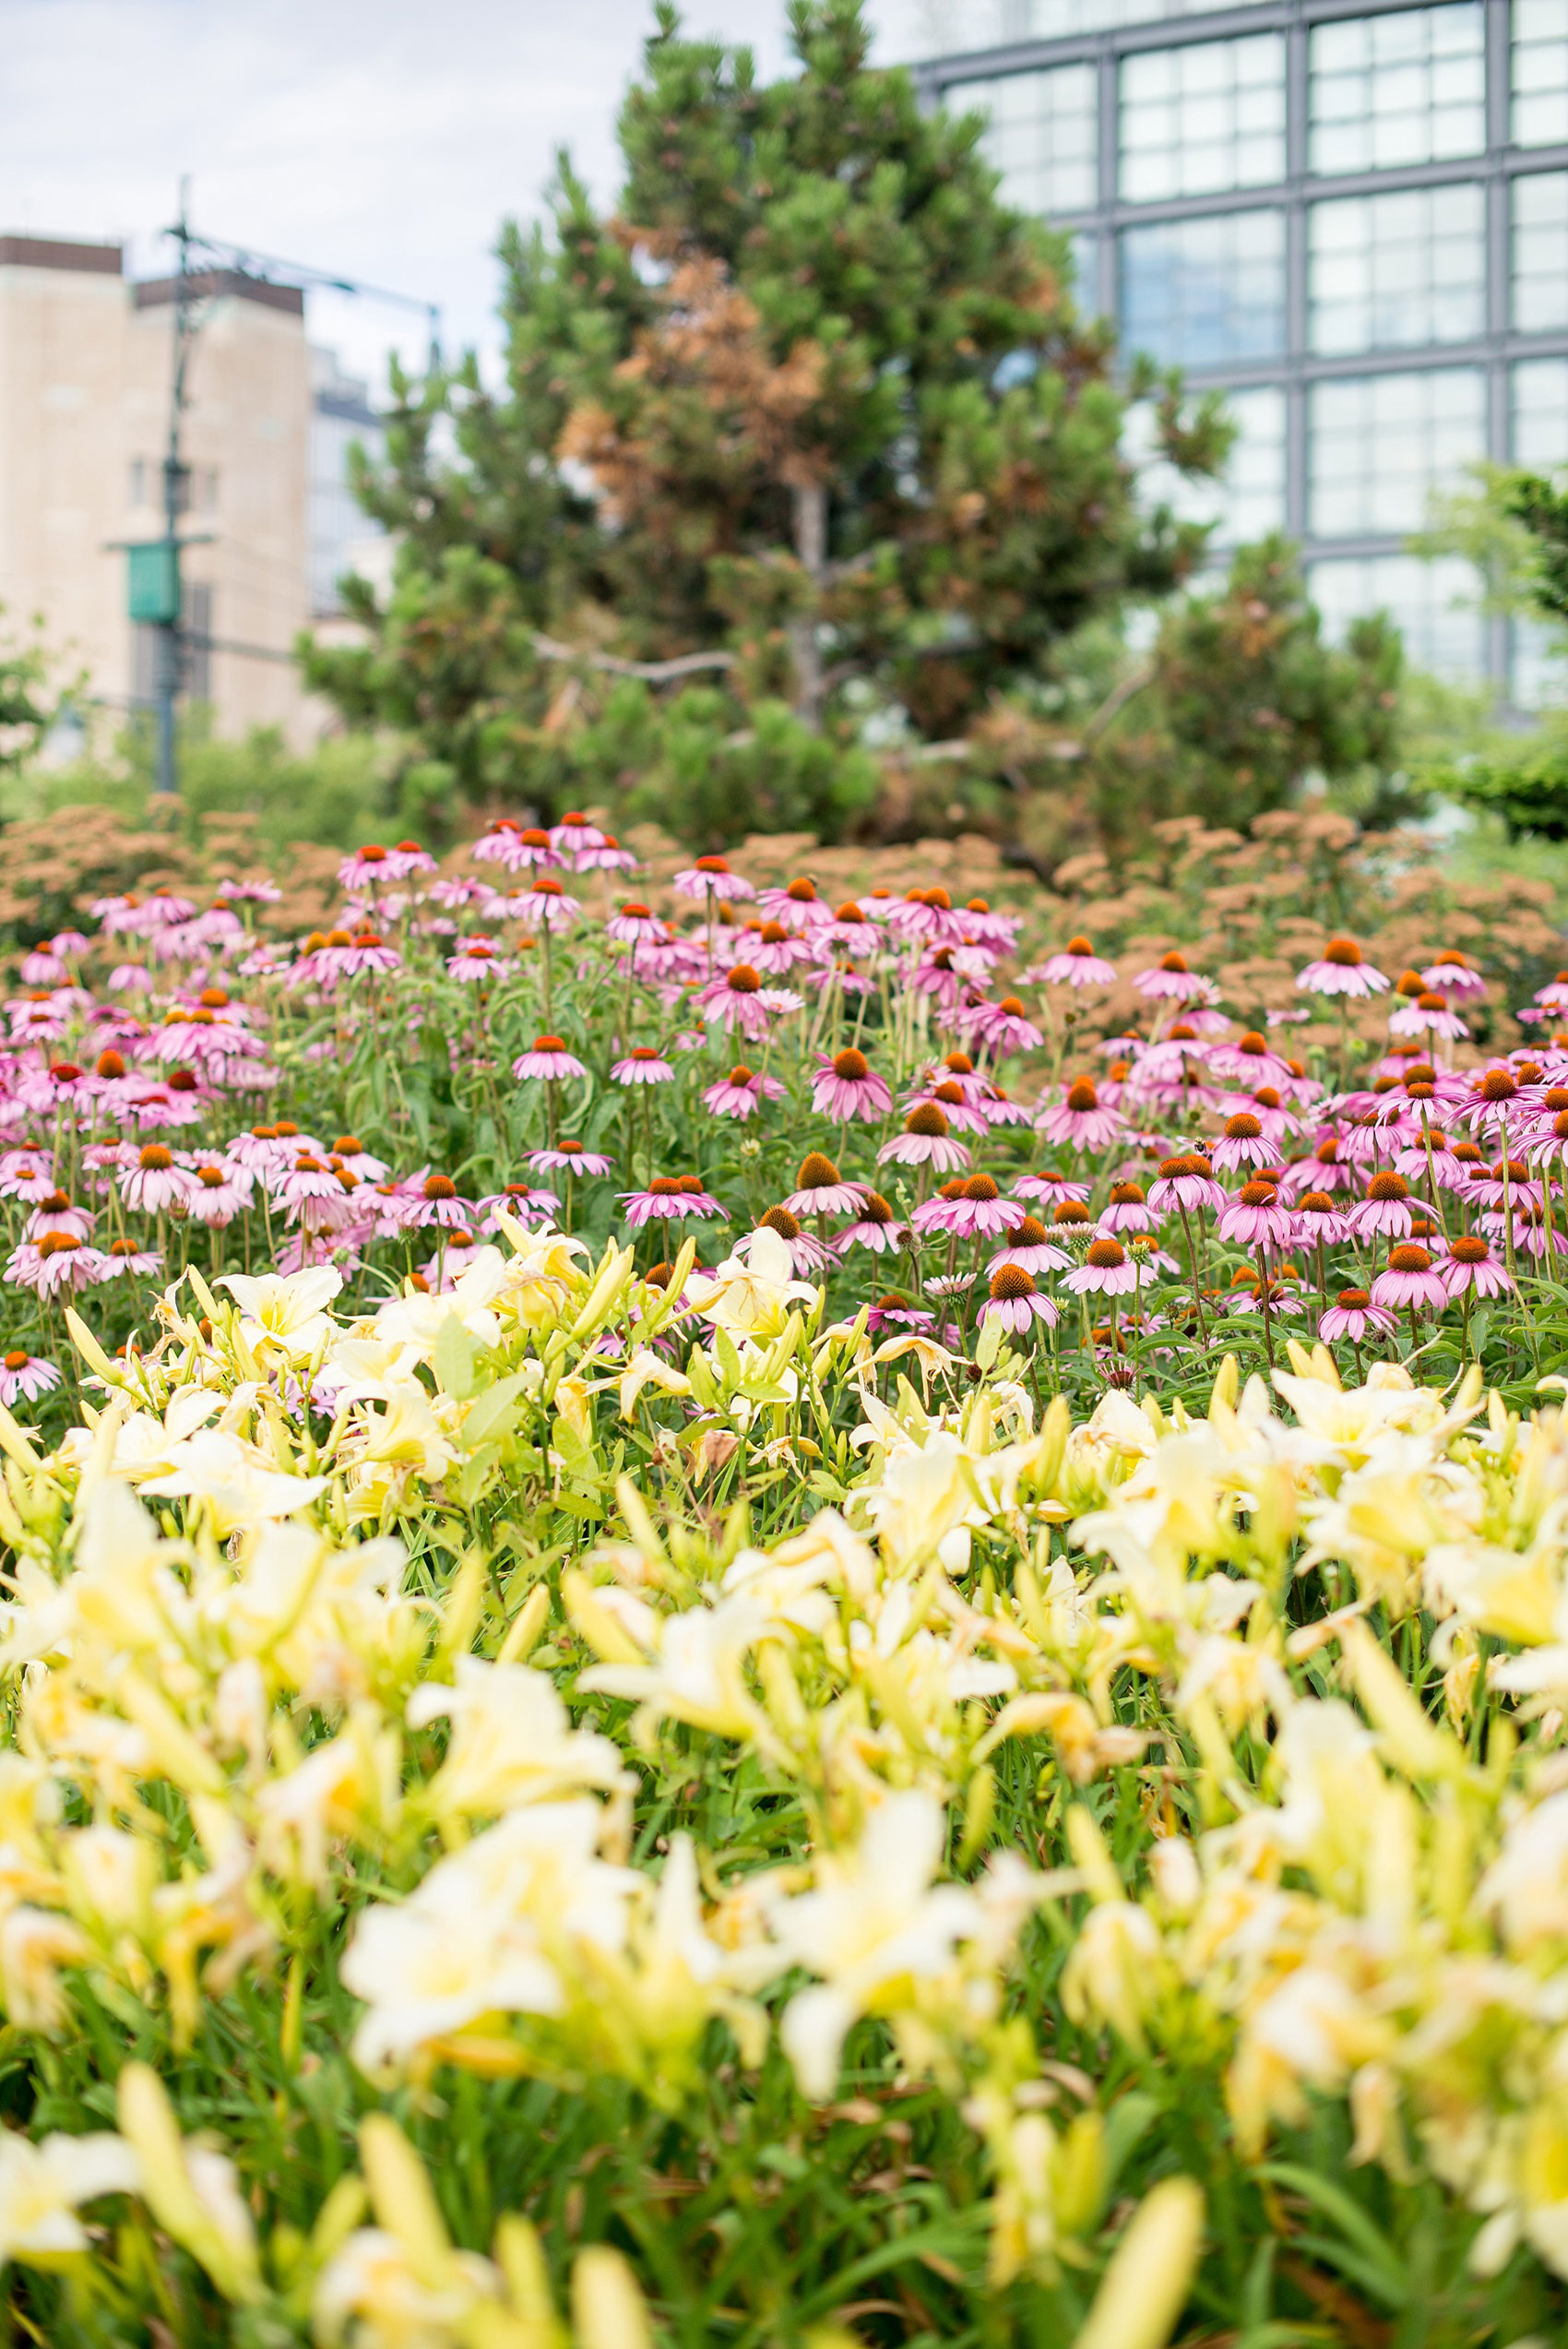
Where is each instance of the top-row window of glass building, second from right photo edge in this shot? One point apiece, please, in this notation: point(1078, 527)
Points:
point(1398, 90)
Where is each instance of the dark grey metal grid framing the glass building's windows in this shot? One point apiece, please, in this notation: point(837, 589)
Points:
point(1496, 166)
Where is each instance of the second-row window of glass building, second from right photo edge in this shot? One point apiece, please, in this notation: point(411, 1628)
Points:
point(1386, 271)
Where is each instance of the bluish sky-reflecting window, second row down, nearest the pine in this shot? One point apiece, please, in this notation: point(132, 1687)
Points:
point(1205, 292)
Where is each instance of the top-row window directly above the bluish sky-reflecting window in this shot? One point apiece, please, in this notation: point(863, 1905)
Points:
point(1203, 119)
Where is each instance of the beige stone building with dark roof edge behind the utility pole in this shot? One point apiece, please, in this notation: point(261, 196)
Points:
point(86, 368)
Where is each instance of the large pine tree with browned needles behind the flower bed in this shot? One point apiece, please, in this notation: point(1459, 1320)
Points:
point(811, 417)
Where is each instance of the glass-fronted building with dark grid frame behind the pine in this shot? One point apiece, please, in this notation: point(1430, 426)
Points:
point(1353, 220)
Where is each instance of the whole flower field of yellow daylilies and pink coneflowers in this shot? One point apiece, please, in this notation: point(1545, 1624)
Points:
point(783, 1615)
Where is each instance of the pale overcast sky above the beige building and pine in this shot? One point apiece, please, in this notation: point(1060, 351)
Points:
point(381, 140)
